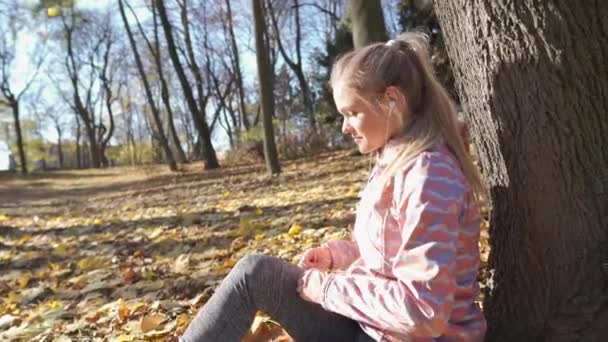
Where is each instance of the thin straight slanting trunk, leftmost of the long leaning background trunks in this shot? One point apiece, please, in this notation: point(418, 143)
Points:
point(155, 114)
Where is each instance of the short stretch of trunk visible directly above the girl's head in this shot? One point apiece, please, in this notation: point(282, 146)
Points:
point(367, 22)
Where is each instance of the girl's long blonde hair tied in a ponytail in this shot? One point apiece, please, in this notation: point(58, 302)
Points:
point(405, 64)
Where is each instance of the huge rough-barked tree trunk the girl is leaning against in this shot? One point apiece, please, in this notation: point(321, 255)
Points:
point(532, 78)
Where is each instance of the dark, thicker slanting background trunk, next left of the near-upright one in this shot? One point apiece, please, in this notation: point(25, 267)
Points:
point(210, 158)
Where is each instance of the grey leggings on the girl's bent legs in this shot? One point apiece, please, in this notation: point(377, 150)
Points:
point(268, 284)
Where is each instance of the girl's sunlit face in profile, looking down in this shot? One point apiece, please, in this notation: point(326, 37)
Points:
point(369, 128)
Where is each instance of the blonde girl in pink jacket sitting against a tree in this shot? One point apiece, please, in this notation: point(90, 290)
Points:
point(410, 272)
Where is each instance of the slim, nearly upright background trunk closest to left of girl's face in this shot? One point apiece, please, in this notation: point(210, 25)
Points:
point(266, 89)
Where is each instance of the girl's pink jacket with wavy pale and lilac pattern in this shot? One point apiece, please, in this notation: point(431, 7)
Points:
point(411, 271)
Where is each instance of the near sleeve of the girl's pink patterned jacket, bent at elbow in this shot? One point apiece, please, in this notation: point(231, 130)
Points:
point(418, 302)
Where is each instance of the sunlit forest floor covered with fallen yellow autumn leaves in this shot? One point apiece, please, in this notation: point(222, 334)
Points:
point(131, 254)
